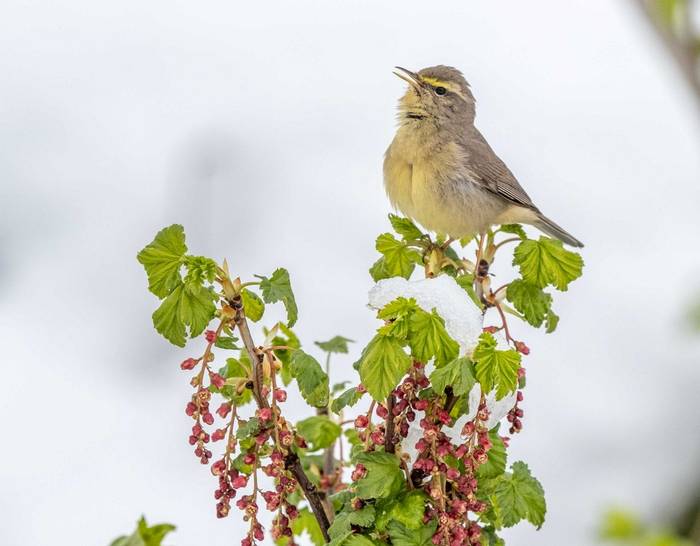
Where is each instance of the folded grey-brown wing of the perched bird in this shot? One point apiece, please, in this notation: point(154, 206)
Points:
point(492, 173)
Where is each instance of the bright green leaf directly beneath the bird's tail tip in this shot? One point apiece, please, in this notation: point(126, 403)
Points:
point(546, 261)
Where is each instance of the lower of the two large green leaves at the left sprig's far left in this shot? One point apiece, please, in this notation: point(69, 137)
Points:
point(190, 305)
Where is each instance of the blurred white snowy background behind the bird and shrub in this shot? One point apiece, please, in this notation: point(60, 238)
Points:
point(261, 128)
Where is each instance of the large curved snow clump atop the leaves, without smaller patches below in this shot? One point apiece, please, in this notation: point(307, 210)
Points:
point(463, 320)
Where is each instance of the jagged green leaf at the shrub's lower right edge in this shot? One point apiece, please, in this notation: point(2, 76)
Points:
point(520, 496)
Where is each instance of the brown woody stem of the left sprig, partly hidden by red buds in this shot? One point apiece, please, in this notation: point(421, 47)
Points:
point(291, 461)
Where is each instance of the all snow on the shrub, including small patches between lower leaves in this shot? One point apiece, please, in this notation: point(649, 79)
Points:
point(464, 322)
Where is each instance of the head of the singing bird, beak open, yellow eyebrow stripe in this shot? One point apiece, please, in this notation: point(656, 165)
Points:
point(437, 93)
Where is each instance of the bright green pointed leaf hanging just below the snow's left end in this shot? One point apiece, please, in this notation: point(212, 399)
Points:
point(382, 364)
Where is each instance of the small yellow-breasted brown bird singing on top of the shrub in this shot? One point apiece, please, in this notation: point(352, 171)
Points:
point(440, 171)
